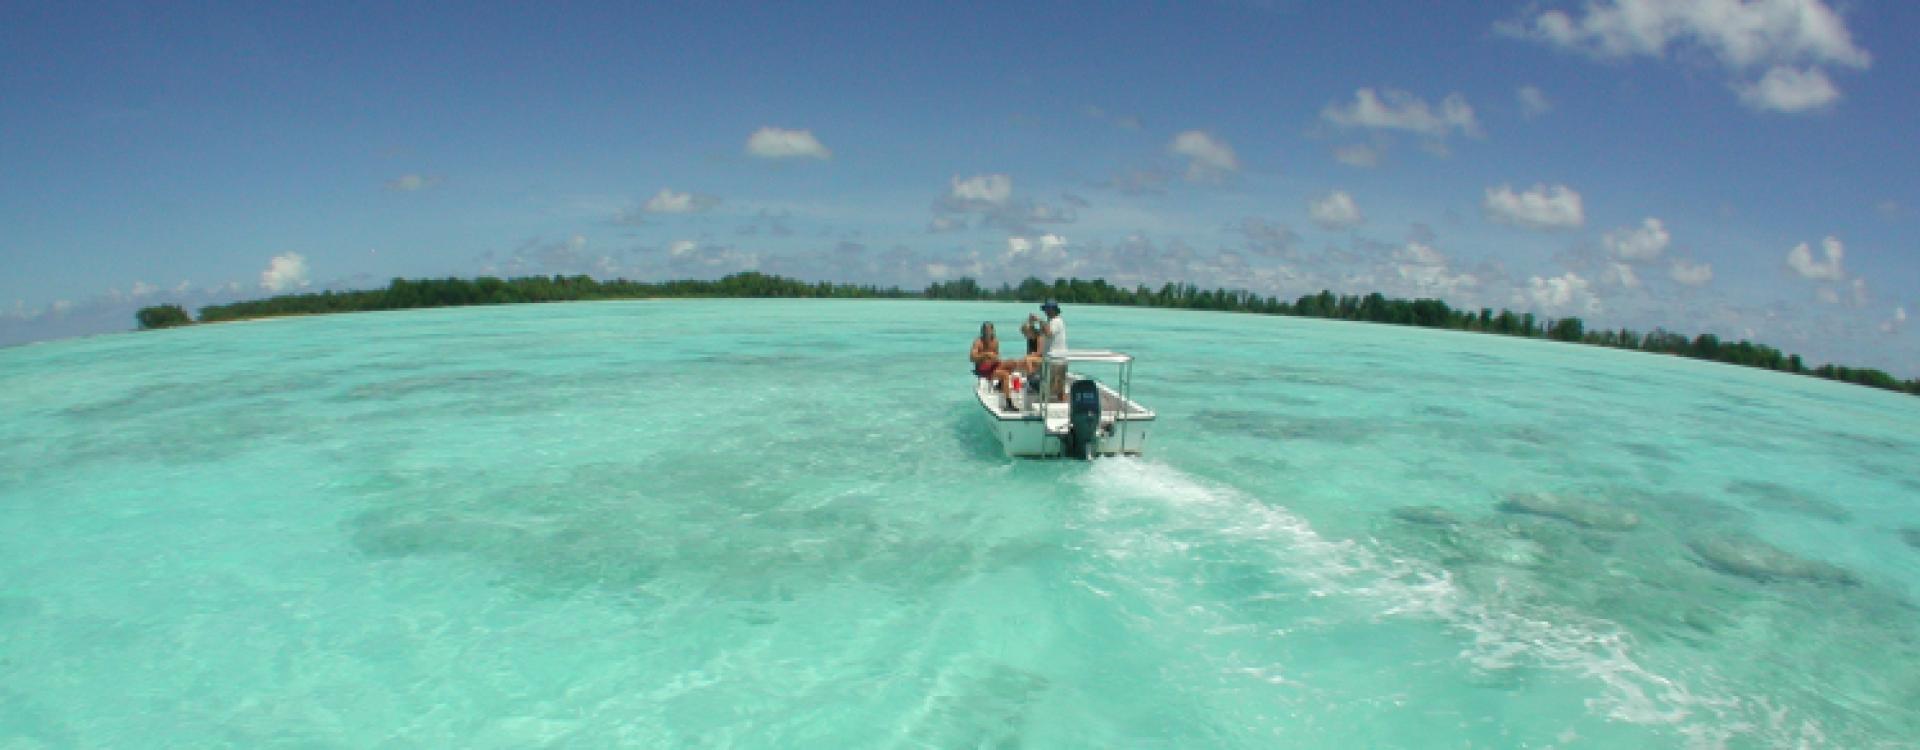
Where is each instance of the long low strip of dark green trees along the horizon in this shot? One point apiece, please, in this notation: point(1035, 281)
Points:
point(1374, 308)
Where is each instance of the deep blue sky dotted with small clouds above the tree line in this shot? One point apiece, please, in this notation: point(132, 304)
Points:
point(1742, 168)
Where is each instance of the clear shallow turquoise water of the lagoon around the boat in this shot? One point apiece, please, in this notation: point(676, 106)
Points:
point(780, 525)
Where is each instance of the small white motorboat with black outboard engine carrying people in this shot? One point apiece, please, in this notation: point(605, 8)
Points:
point(1080, 417)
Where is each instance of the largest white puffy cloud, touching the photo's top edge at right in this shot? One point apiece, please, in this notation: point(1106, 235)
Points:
point(1790, 39)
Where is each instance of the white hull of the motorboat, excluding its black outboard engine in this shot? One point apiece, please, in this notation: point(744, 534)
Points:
point(1040, 431)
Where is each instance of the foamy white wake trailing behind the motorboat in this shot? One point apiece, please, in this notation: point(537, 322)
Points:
point(1151, 517)
